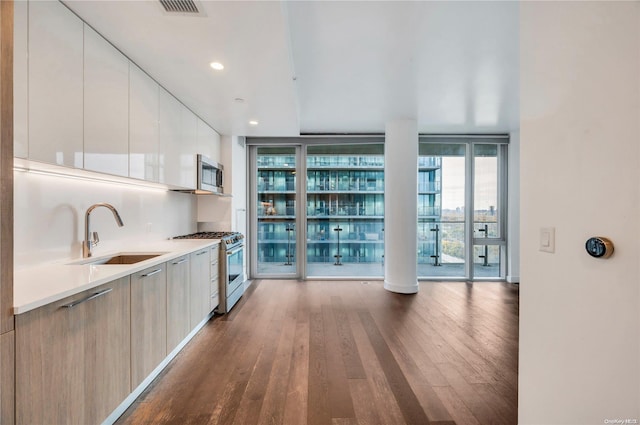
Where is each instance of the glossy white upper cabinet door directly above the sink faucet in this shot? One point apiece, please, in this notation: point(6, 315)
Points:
point(106, 106)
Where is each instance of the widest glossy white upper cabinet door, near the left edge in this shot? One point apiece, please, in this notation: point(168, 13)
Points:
point(55, 84)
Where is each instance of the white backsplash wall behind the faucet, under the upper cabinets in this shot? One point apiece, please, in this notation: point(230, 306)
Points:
point(50, 211)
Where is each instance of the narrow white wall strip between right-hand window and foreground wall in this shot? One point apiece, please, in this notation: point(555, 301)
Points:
point(513, 220)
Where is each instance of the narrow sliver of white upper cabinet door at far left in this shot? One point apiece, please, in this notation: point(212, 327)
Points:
point(20, 69)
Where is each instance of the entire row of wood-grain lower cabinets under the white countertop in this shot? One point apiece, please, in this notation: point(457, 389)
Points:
point(79, 358)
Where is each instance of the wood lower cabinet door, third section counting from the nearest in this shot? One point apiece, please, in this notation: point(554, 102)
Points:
point(178, 326)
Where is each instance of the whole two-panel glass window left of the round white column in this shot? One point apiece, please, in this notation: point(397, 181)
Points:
point(338, 231)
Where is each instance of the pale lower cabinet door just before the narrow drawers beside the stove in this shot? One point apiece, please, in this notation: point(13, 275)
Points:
point(199, 287)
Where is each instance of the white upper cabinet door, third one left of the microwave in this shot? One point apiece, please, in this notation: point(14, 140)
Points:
point(144, 136)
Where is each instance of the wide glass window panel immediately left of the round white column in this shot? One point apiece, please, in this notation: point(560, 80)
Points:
point(345, 210)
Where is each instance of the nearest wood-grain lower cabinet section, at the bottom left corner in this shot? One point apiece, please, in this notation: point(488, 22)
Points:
point(73, 357)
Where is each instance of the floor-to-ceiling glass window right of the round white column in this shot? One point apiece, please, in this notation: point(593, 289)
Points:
point(462, 207)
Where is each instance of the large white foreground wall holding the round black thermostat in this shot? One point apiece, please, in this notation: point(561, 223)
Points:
point(580, 173)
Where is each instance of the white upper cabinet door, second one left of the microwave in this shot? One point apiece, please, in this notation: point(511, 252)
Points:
point(170, 134)
